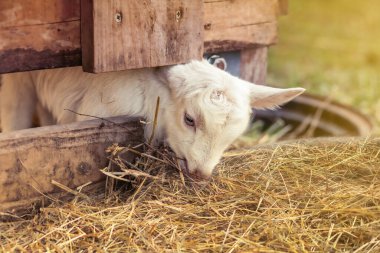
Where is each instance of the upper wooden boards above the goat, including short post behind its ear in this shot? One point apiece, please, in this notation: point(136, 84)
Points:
point(116, 35)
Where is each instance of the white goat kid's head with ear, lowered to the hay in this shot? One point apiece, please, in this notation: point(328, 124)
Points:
point(210, 109)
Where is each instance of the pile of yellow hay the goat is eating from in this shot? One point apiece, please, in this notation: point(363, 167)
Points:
point(295, 197)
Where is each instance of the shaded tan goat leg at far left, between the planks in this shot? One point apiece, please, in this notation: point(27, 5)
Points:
point(18, 101)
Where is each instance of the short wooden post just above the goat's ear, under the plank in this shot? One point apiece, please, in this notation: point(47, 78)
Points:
point(253, 64)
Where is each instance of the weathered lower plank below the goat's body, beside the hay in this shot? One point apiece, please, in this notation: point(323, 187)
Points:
point(70, 154)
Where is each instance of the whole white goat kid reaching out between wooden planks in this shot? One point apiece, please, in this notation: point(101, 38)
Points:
point(202, 109)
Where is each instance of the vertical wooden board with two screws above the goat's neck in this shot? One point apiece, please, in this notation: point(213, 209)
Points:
point(119, 35)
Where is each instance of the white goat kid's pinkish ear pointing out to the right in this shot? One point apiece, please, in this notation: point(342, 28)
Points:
point(264, 97)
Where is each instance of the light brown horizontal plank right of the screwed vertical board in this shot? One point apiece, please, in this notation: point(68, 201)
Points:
point(239, 24)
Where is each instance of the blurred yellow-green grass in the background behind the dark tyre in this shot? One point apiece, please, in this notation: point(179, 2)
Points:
point(332, 48)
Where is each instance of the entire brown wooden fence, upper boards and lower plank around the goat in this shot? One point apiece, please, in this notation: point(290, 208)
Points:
point(110, 36)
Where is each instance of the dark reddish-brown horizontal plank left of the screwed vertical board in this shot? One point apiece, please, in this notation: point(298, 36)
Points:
point(38, 34)
